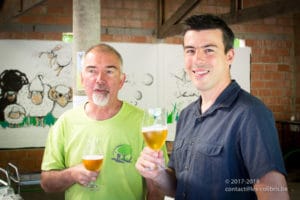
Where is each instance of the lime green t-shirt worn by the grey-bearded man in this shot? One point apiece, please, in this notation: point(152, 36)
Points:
point(122, 141)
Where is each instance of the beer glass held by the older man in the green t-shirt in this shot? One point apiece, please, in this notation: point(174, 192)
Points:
point(92, 159)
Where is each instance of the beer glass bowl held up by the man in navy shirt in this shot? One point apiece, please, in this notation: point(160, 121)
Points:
point(154, 128)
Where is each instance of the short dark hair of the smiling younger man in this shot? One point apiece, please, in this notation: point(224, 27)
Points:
point(209, 21)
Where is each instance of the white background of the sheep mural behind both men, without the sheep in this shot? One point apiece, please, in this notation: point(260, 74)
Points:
point(155, 77)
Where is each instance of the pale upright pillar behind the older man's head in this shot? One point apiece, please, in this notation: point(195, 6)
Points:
point(86, 31)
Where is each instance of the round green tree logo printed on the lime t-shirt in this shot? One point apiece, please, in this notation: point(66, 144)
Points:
point(122, 153)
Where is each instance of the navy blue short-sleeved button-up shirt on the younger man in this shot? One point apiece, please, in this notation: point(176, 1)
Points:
point(221, 153)
